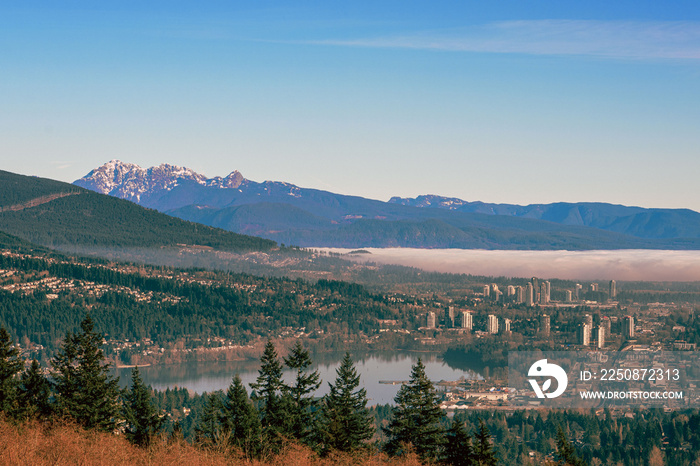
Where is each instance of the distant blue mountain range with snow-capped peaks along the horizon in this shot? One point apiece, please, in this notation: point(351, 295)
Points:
point(308, 217)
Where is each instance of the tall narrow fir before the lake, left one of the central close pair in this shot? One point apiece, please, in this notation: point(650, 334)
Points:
point(268, 387)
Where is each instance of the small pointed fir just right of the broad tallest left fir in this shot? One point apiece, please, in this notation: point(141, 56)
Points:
point(142, 419)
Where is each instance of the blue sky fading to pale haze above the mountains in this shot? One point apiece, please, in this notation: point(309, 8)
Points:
point(510, 101)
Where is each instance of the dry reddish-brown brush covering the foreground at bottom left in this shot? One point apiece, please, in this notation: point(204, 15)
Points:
point(37, 444)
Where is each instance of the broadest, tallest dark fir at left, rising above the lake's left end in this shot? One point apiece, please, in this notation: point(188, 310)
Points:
point(85, 390)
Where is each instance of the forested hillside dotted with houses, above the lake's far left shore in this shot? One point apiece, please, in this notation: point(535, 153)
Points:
point(43, 297)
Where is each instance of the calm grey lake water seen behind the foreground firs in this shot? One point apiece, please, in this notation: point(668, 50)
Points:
point(373, 368)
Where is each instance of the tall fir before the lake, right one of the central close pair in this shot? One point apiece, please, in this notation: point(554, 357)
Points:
point(302, 403)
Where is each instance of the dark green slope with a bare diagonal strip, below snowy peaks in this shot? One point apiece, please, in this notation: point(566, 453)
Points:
point(38, 210)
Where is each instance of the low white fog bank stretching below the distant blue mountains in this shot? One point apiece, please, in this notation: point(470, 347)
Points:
point(629, 265)
